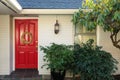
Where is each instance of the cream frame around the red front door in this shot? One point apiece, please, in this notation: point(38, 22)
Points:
point(14, 37)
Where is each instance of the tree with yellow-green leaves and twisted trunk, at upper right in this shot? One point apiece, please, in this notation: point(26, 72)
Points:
point(102, 13)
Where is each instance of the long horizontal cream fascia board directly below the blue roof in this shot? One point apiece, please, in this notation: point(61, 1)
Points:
point(48, 11)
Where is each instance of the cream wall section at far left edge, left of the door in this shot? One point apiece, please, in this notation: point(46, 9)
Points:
point(4, 44)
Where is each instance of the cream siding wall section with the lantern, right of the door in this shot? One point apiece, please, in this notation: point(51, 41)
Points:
point(46, 34)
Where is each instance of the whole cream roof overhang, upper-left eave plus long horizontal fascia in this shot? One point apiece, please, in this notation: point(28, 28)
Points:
point(13, 7)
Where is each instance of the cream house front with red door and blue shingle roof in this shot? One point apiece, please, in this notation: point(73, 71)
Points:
point(25, 25)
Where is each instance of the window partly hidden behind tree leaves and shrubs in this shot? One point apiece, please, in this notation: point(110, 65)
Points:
point(82, 35)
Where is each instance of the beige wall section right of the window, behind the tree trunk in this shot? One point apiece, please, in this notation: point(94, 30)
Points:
point(103, 39)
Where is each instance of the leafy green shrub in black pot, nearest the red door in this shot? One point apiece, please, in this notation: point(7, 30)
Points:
point(58, 58)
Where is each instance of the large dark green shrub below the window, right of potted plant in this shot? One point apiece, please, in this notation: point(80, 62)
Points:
point(93, 63)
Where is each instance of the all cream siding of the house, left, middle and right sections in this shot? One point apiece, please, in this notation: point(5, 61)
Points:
point(46, 36)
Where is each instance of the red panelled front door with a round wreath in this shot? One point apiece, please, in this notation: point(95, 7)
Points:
point(26, 42)
